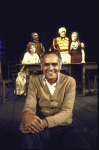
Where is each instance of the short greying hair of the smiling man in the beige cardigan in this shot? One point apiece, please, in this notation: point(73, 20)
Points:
point(50, 52)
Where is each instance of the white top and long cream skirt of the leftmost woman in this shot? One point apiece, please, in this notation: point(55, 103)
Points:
point(21, 78)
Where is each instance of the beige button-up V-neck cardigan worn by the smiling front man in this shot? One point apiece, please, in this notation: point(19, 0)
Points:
point(57, 109)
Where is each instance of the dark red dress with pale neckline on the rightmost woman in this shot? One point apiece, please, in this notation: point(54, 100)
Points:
point(75, 50)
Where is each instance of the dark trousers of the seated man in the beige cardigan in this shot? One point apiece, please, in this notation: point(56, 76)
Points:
point(61, 137)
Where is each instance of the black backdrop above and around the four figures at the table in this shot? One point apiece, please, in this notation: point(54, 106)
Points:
point(19, 19)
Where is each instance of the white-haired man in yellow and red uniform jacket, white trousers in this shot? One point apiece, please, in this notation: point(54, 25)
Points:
point(61, 45)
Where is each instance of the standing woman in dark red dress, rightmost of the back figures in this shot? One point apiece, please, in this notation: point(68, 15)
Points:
point(76, 49)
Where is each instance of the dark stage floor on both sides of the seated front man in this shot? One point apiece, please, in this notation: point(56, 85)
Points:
point(85, 118)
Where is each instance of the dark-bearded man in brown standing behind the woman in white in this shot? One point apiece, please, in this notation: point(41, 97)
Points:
point(38, 46)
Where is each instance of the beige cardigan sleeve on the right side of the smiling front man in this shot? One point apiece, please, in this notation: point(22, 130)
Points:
point(65, 113)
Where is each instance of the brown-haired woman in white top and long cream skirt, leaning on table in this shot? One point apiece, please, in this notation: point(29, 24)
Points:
point(30, 57)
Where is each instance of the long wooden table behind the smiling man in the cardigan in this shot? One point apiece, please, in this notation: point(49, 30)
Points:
point(67, 67)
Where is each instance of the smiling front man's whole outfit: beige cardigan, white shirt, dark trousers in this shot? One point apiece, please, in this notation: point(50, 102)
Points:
point(57, 108)
